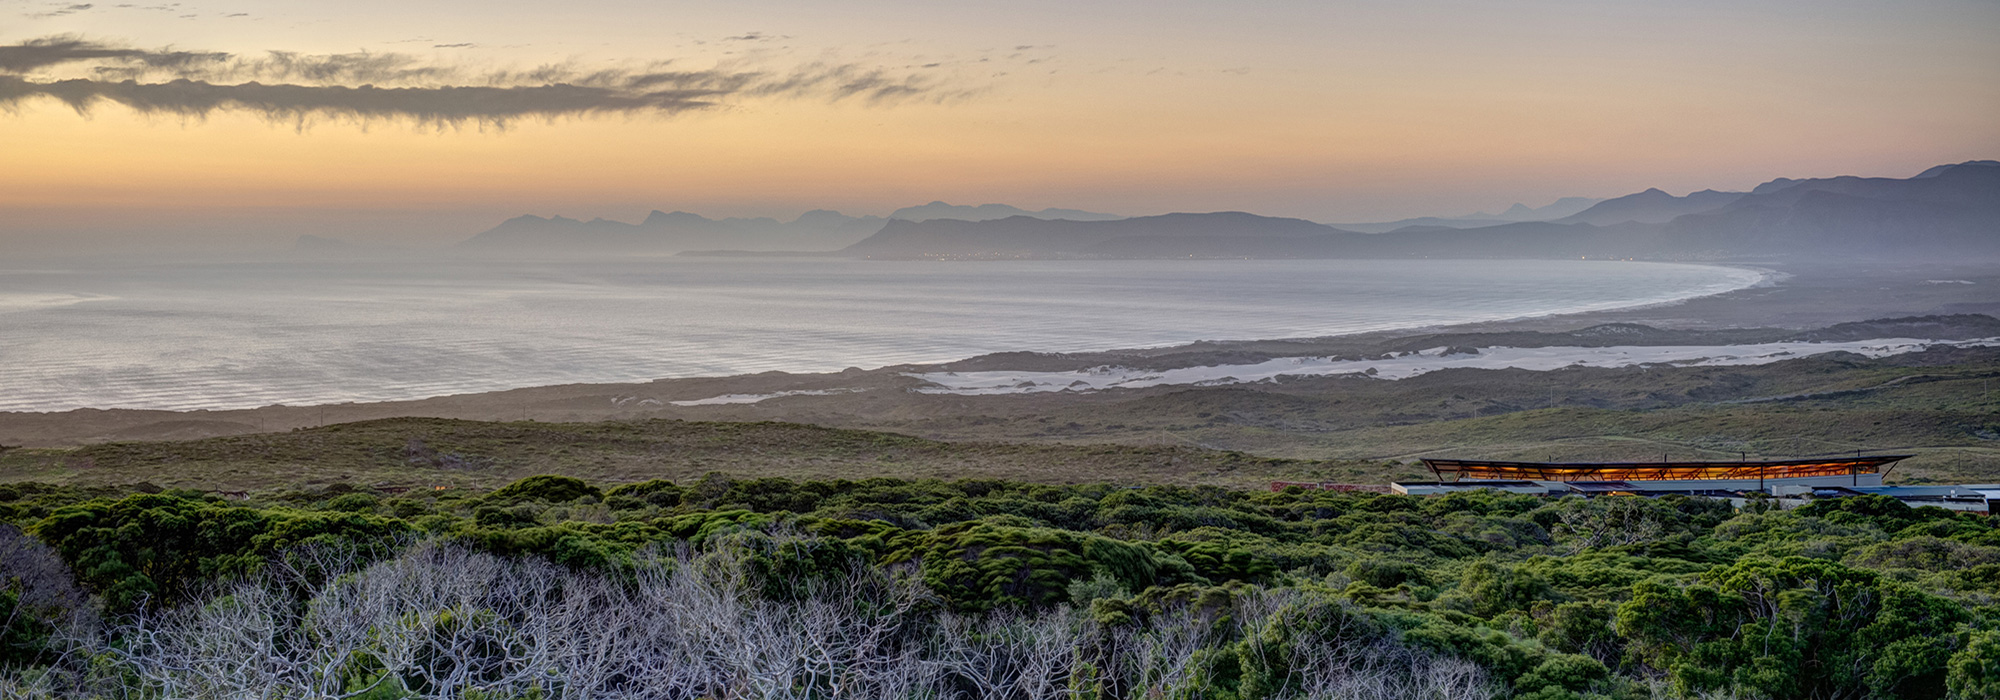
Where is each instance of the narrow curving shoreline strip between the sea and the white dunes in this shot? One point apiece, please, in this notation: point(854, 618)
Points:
point(1797, 299)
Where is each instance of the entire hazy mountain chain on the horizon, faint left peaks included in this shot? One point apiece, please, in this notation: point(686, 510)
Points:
point(1943, 213)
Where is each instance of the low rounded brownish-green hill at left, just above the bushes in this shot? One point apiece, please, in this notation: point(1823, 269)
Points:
point(465, 453)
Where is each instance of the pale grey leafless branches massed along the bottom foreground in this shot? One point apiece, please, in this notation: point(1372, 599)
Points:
point(687, 623)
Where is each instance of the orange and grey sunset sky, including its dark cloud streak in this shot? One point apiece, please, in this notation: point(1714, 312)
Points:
point(245, 123)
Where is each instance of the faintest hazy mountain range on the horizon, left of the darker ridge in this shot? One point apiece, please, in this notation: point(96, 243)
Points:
point(665, 233)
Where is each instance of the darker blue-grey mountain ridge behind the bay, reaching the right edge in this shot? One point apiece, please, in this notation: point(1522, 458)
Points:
point(1943, 213)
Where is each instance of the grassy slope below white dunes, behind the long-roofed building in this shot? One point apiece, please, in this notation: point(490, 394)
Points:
point(1943, 407)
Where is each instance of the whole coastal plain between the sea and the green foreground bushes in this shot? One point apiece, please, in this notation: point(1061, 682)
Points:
point(1937, 405)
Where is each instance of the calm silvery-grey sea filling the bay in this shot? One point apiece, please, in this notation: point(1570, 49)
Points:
point(255, 335)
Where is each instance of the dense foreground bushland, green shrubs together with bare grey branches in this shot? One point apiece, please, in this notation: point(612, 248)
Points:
point(891, 589)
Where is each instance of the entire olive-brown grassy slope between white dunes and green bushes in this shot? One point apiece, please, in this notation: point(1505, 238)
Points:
point(1941, 407)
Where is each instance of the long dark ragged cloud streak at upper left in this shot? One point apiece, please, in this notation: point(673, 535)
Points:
point(395, 87)
